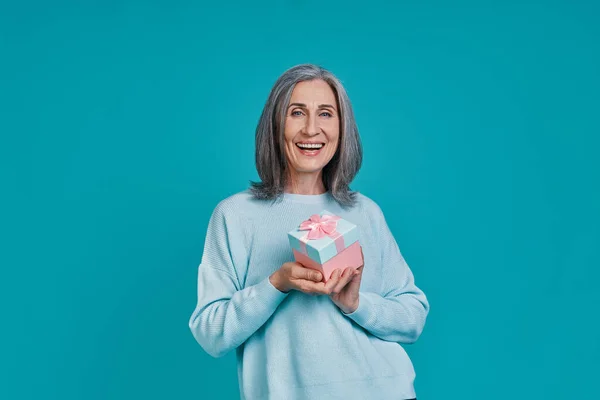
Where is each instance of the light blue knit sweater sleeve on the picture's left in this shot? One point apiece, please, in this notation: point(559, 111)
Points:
point(227, 314)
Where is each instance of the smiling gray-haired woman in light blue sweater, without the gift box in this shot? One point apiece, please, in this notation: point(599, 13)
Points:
point(297, 336)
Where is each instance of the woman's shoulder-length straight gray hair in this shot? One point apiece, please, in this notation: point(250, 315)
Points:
point(271, 161)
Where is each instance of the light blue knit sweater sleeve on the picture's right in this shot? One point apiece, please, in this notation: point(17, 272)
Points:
point(398, 313)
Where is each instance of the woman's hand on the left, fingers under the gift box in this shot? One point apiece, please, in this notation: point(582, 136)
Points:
point(295, 276)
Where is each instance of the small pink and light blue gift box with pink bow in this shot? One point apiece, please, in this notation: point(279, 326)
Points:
point(326, 242)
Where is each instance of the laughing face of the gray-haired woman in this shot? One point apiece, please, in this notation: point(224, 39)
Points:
point(312, 127)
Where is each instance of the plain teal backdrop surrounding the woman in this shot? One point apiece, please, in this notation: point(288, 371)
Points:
point(124, 123)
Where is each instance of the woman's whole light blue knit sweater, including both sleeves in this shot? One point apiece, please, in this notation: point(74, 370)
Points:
point(299, 346)
